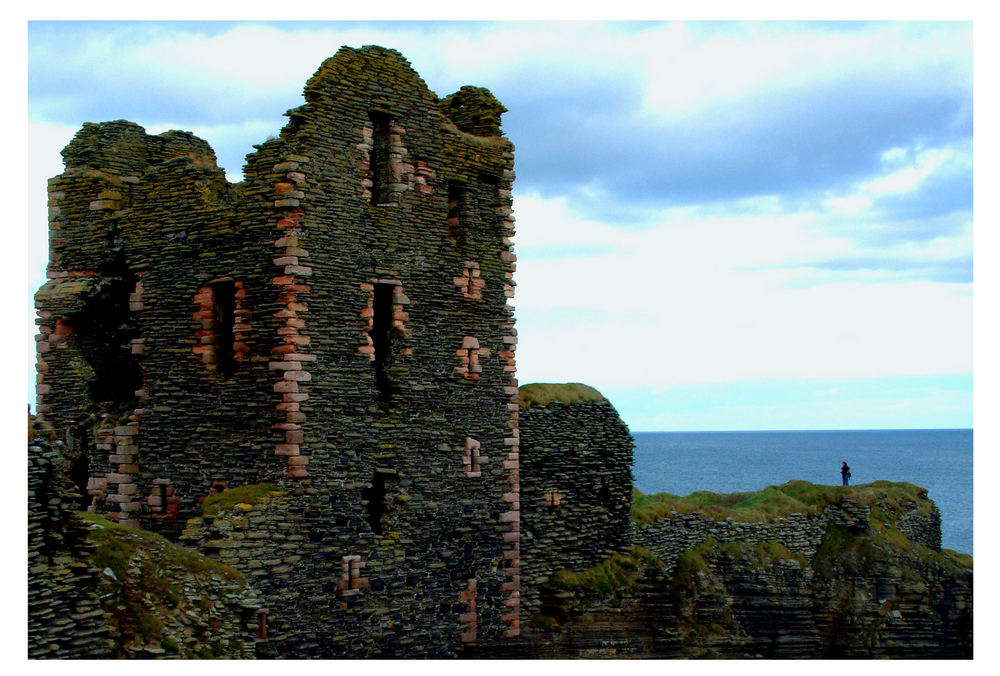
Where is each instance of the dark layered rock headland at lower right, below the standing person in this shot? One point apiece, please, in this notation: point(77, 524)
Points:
point(861, 589)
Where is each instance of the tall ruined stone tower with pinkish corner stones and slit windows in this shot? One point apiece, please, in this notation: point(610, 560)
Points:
point(336, 324)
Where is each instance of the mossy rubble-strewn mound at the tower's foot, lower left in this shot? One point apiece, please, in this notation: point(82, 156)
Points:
point(165, 599)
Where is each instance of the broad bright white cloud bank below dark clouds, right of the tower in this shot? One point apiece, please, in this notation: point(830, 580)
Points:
point(687, 302)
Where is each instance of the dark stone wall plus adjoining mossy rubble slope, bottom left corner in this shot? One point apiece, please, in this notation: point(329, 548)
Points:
point(99, 589)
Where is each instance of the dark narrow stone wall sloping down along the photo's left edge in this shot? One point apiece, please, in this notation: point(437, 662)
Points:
point(65, 619)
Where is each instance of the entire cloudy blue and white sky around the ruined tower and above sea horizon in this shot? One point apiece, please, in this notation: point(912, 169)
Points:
point(723, 225)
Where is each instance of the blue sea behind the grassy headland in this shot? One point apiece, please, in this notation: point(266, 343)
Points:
point(728, 462)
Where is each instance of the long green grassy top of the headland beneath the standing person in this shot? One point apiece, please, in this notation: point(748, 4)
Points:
point(774, 502)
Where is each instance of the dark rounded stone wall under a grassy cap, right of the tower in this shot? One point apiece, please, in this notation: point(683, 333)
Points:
point(576, 489)
